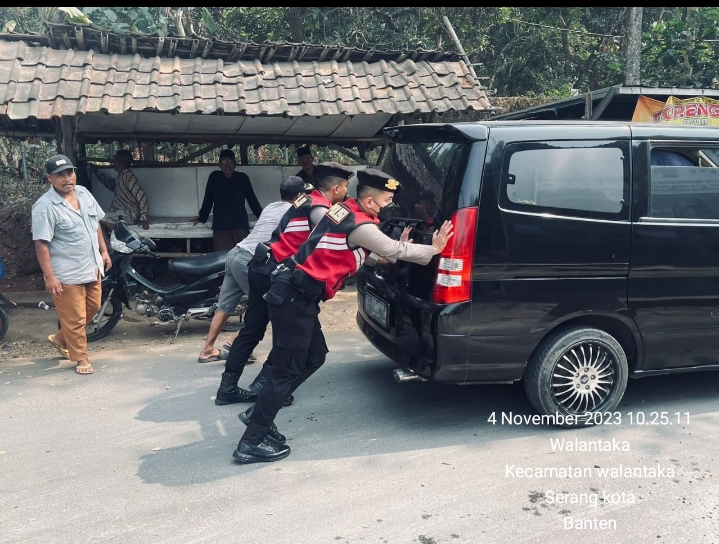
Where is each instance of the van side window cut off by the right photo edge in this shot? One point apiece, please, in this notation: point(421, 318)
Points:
point(684, 183)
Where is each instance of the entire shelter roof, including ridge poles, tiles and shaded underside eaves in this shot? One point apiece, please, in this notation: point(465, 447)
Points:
point(80, 84)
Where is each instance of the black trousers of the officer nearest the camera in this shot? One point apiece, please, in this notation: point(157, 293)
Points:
point(298, 350)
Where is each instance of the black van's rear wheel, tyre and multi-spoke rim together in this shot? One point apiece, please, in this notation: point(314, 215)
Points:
point(579, 371)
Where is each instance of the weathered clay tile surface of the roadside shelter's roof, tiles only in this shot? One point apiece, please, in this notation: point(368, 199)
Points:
point(42, 83)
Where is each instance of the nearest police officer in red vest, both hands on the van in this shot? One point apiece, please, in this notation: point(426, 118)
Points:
point(342, 242)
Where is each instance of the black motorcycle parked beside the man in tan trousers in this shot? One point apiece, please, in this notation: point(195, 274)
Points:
point(196, 297)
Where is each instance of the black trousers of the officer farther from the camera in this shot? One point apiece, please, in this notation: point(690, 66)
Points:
point(256, 317)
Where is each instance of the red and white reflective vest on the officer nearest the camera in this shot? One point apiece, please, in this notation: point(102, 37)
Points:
point(326, 255)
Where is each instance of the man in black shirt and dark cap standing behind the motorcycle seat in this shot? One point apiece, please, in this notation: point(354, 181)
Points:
point(226, 192)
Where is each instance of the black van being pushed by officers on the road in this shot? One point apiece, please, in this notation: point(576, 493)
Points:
point(584, 253)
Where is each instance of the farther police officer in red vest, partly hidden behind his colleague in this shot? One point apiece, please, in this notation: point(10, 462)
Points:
point(331, 181)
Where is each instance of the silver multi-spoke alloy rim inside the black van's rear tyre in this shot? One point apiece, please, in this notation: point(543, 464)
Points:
point(583, 377)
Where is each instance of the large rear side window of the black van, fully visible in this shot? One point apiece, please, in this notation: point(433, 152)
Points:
point(587, 179)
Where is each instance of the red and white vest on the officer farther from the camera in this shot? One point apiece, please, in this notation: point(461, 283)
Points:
point(294, 227)
